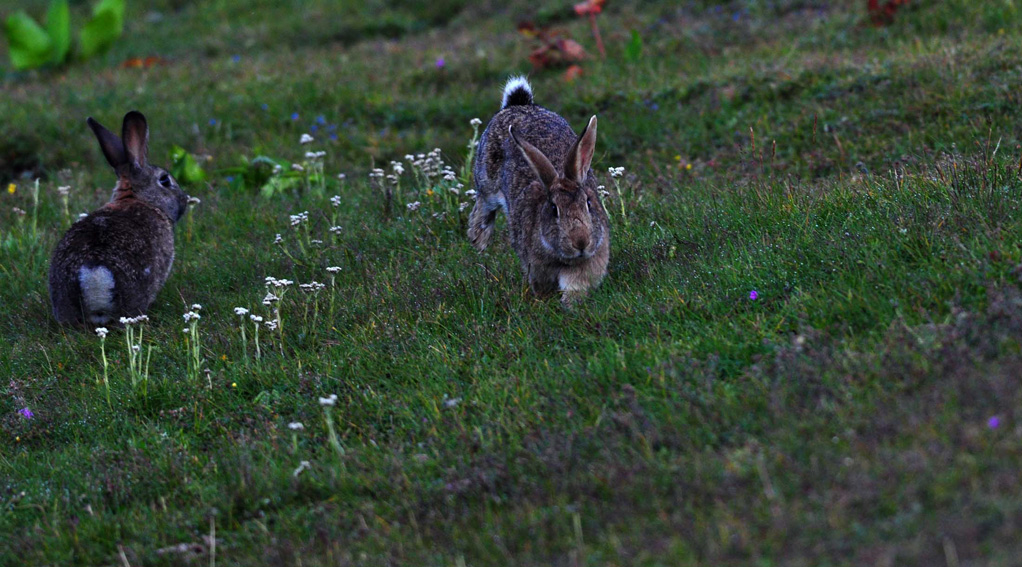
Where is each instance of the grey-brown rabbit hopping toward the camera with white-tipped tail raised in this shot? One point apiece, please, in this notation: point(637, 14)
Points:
point(531, 163)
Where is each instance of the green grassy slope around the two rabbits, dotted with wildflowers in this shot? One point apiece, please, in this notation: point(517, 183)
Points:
point(865, 182)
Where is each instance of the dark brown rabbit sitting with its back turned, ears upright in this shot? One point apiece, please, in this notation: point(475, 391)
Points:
point(114, 262)
